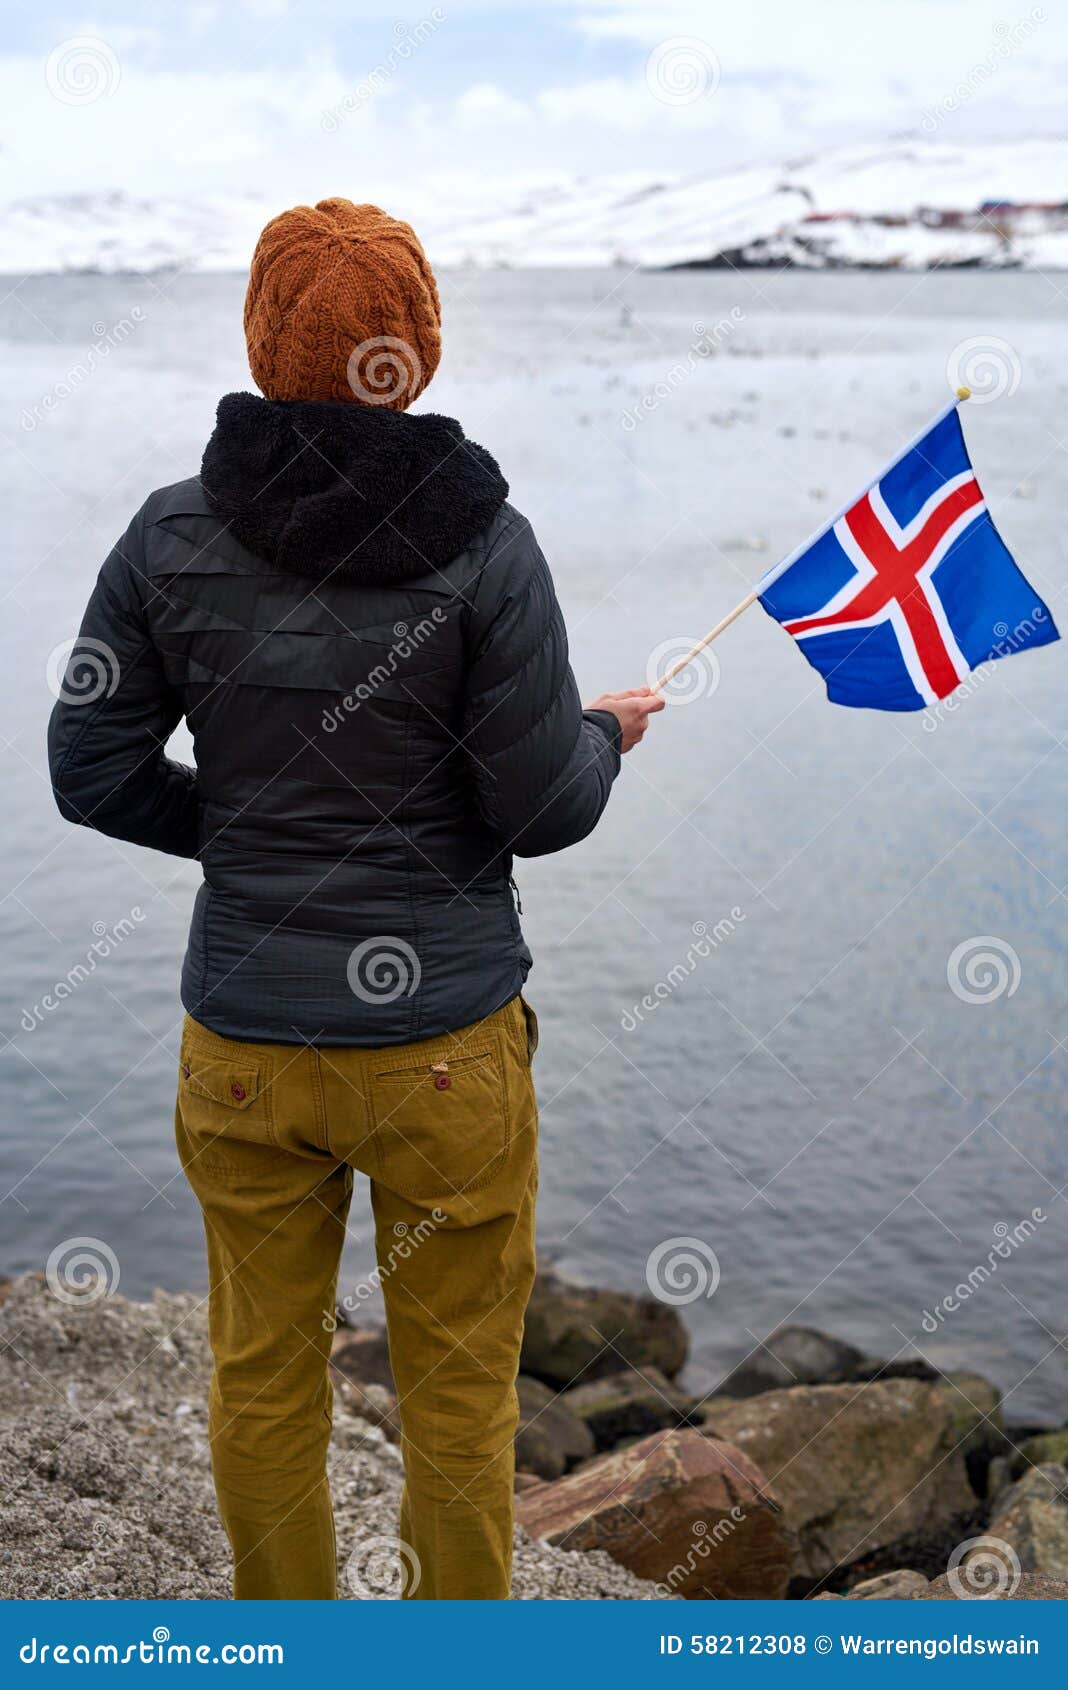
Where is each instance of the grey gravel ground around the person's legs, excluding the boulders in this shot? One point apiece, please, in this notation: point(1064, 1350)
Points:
point(106, 1488)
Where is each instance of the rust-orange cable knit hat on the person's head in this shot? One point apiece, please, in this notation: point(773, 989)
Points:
point(342, 305)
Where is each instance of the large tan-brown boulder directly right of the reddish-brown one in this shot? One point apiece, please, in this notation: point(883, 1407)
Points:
point(858, 1468)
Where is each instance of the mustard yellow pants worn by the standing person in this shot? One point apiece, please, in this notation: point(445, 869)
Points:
point(445, 1130)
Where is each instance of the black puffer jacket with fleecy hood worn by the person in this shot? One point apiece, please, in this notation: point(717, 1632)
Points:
point(369, 653)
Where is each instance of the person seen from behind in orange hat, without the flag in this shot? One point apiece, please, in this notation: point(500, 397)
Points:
point(366, 645)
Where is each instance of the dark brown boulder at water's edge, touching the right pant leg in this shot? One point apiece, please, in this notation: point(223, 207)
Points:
point(575, 1333)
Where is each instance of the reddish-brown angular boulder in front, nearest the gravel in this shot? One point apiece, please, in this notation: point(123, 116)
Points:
point(680, 1508)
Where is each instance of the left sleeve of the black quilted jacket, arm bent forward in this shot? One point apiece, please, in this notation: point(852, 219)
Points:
point(114, 719)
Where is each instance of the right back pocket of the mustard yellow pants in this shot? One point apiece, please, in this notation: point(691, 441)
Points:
point(442, 1128)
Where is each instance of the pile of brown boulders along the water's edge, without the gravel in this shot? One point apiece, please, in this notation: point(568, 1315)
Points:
point(812, 1471)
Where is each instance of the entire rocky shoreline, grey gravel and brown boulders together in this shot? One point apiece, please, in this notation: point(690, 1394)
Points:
point(812, 1473)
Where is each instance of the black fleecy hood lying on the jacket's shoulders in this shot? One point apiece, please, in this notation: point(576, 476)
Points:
point(346, 489)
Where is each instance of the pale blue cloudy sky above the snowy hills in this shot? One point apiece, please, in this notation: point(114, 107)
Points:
point(322, 97)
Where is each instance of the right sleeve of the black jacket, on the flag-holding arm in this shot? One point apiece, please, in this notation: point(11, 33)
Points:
point(543, 768)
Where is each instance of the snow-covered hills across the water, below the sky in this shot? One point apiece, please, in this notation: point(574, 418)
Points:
point(910, 204)
